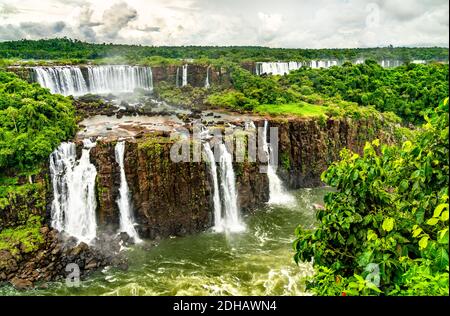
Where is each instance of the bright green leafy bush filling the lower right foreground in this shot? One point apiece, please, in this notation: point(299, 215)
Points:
point(385, 229)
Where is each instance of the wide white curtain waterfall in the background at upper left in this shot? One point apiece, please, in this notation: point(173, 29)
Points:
point(70, 80)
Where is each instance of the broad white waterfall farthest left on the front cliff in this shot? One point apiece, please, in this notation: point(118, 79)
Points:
point(74, 202)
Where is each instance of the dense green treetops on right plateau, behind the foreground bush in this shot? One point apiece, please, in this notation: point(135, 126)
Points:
point(407, 90)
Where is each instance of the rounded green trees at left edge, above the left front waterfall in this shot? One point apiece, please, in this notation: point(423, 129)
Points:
point(32, 122)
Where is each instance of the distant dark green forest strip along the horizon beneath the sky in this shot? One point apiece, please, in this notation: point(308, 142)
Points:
point(64, 48)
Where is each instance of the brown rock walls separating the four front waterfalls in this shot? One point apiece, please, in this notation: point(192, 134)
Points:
point(168, 198)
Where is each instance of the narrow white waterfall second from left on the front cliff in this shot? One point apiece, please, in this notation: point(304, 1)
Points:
point(123, 201)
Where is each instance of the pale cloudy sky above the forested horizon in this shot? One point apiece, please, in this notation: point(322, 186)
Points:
point(282, 23)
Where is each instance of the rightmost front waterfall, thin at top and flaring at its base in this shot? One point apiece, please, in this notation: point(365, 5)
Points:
point(277, 193)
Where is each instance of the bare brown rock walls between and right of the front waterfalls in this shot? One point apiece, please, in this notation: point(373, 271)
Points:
point(172, 198)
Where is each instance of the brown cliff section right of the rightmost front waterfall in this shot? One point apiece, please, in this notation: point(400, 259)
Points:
point(308, 146)
